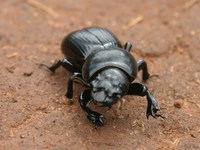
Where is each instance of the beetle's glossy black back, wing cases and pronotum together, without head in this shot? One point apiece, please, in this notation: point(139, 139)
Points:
point(93, 49)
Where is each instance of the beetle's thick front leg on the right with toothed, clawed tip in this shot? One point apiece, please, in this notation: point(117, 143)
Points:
point(141, 90)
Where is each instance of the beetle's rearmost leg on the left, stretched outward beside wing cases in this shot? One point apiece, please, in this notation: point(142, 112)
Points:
point(65, 63)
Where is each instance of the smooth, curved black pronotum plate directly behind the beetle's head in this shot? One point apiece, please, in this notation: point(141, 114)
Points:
point(116, 57)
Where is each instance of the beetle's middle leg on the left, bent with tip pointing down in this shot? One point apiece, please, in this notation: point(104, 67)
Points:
point(78, 78)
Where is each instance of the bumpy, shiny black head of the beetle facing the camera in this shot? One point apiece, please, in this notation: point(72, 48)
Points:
point(109, 86)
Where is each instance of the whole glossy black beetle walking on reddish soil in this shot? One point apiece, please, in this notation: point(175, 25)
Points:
point(105, 67)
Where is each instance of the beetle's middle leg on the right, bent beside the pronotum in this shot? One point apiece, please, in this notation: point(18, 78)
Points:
point(142, 65)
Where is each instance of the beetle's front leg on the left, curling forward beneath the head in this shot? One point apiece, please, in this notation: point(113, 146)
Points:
point(93, 116)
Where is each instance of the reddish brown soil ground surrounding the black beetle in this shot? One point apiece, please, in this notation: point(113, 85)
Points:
point(34, 113)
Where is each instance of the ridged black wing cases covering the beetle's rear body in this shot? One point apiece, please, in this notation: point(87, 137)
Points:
point(81, 43)
